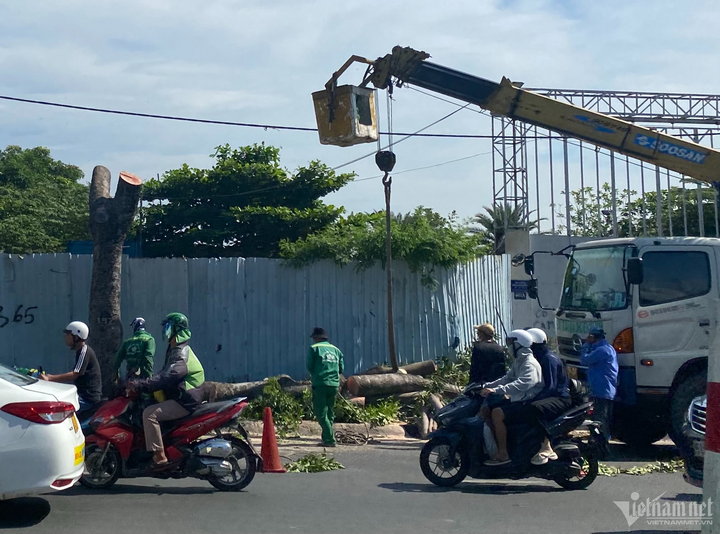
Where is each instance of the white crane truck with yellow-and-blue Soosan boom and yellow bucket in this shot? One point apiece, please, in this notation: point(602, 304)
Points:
point(656, 298)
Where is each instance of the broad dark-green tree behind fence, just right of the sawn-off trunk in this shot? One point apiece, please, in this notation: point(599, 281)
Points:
point(243, 206)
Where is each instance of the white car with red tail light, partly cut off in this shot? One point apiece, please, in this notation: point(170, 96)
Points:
point(42, 447)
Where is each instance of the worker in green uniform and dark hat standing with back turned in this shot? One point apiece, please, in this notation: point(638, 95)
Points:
point(325, 363)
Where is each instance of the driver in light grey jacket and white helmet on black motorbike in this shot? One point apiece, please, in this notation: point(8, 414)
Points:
point(520, 385)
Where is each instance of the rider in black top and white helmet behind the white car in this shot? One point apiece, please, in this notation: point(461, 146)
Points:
point(86, 373)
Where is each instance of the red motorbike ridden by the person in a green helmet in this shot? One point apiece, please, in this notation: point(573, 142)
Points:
point(201, 445)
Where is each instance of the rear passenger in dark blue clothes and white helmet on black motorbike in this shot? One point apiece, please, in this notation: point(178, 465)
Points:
point(554, 399)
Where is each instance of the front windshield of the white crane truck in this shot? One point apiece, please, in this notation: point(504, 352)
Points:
point(594, 280)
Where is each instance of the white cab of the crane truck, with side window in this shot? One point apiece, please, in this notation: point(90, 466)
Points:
point(661, 321)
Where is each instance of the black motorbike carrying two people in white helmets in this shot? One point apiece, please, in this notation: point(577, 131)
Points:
point(457, 449)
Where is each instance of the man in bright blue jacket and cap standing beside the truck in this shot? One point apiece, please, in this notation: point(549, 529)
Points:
point(601, 360)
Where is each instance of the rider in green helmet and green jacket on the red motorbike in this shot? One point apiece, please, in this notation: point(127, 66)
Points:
point(181, 380)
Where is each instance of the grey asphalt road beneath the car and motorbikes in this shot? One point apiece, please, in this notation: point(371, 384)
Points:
point(381, 491)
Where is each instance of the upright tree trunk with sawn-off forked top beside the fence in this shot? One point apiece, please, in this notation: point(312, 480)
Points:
point(110, 220)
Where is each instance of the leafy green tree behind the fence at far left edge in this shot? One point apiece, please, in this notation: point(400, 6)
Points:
point(43, 205)
